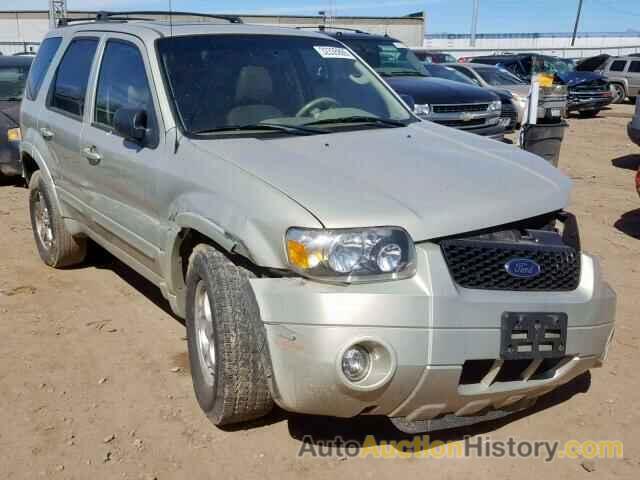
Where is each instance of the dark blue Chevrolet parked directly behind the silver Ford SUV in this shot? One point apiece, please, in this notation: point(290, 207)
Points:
point(466, 107)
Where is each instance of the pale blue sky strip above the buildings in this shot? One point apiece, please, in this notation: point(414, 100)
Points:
point(450, 16)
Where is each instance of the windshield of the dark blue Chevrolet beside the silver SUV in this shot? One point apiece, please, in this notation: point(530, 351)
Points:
point(388, 57)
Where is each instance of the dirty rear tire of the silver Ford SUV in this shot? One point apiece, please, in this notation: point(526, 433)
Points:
point(63, 250)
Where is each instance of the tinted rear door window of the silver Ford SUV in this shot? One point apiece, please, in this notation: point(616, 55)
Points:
point(70, 84)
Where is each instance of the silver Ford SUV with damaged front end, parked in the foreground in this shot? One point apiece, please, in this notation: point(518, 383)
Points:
point(329, 251)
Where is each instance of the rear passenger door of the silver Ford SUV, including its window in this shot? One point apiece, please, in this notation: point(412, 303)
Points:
point(62, 119)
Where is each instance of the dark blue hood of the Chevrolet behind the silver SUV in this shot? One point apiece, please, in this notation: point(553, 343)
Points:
point(438, 90)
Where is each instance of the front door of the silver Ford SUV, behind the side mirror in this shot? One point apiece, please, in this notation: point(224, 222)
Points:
point(120, 170)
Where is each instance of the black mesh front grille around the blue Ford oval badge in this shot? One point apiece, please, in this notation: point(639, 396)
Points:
point(481, 265)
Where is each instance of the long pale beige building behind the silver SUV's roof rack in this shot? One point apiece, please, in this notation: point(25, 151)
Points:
point(26, 28)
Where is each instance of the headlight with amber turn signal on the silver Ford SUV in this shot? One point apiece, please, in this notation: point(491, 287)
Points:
point(351, 255)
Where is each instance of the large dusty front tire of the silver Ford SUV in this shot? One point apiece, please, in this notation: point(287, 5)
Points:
point(236, 388)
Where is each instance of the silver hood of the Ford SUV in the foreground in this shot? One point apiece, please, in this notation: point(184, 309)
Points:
point(434, 181)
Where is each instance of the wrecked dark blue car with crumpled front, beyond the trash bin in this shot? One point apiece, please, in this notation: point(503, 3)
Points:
point(588, 92)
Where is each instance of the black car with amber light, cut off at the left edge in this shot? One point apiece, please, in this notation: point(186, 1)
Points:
point(13, 76)
